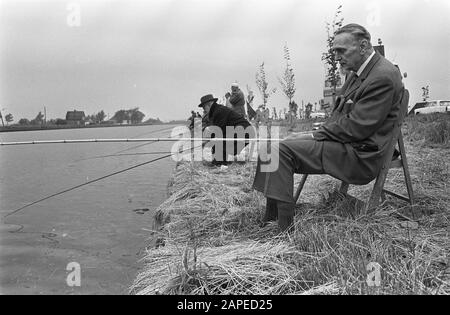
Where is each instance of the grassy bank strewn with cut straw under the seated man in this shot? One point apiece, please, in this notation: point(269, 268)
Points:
point(209, 239)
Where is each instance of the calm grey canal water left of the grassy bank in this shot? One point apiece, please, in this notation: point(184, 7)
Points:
point(97, 226)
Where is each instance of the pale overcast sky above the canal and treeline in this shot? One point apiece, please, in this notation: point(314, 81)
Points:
point(163, 55)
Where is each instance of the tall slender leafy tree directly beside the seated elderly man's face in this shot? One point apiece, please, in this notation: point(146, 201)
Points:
point(333, 75)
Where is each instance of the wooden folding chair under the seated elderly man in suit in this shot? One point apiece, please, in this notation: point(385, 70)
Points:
point(378, 191)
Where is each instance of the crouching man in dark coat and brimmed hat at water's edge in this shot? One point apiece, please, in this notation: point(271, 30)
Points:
point(221, 117)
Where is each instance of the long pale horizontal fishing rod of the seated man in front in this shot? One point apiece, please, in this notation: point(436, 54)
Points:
point(132, 140)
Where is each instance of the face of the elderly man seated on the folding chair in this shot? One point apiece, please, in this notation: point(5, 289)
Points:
point(349, 51)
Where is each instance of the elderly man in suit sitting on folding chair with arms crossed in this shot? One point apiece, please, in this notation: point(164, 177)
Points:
point(351, 144)
